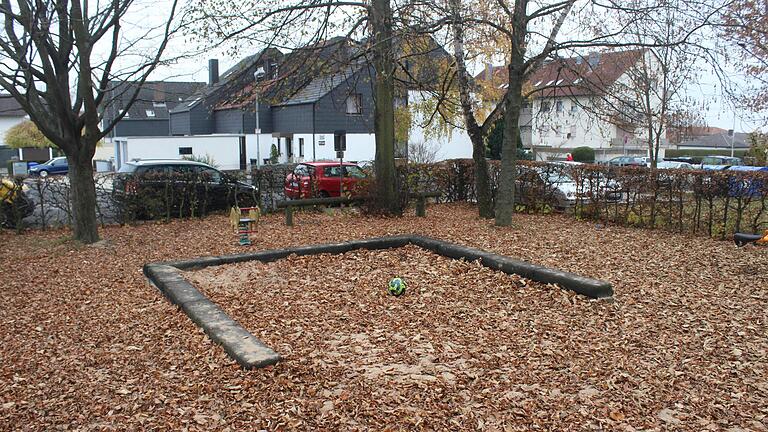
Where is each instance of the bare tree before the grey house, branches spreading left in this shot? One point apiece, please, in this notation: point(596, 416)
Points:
point(297, 25)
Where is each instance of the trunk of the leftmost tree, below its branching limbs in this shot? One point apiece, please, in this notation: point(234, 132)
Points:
point(83, 194)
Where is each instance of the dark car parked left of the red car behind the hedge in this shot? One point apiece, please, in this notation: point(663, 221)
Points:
point(156, 186)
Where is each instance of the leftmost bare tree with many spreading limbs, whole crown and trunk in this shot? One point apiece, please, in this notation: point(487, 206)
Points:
point(58, 57)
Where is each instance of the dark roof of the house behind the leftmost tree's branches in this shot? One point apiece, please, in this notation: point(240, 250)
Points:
point(156, 98)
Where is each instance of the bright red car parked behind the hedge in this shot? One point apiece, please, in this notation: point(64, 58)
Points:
point(321, 179)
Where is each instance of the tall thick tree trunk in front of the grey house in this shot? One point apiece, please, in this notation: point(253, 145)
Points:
point(384, 115)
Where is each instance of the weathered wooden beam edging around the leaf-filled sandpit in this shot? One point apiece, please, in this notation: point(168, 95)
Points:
point(250, 352)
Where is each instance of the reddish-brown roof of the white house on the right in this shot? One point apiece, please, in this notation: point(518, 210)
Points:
point(574, 76)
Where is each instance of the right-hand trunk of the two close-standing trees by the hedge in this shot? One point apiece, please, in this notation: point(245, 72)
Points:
point(505, 202)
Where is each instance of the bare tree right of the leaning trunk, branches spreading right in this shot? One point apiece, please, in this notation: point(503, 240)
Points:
point(534, 31)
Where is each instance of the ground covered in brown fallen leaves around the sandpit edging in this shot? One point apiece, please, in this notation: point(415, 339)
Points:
point(87, 344)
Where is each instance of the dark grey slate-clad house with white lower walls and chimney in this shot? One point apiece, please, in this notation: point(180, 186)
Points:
point(295, 106)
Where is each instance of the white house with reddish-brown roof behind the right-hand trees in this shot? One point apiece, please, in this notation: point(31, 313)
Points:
point(582, 101)
